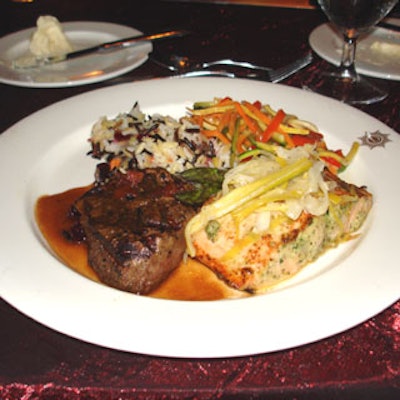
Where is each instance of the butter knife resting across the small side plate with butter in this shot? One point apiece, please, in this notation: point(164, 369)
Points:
point(101, 48)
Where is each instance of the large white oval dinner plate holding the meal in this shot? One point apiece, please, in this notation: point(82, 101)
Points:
point(45, 153)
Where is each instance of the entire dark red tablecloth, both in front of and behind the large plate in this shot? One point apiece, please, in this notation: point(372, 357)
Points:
point(36, 362)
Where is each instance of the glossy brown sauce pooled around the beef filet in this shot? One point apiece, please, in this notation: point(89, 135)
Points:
point(190, 281)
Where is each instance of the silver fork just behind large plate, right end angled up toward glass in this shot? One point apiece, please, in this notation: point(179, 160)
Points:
point(268, 75)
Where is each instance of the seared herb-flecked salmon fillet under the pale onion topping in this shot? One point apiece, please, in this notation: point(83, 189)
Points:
point(255, 262)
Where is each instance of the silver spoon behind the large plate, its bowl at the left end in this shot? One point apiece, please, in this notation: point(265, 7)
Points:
point(183, 64)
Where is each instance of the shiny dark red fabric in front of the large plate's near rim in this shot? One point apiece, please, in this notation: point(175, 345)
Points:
point(51, 365)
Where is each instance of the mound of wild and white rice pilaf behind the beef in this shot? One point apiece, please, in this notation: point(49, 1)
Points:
point(144, 141)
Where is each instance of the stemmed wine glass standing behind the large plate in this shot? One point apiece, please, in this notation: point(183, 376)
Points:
point(352, 18)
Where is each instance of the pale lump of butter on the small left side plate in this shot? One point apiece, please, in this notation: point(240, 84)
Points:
point(49, 38)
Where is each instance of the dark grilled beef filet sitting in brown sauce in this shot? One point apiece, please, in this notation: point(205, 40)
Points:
point(134, 226)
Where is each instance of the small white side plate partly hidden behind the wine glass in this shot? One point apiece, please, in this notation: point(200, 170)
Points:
point(377, 55)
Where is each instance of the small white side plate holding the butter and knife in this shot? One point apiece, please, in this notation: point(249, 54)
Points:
point(81, 71)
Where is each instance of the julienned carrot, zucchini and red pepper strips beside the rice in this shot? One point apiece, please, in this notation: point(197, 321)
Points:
point(252, 129)
